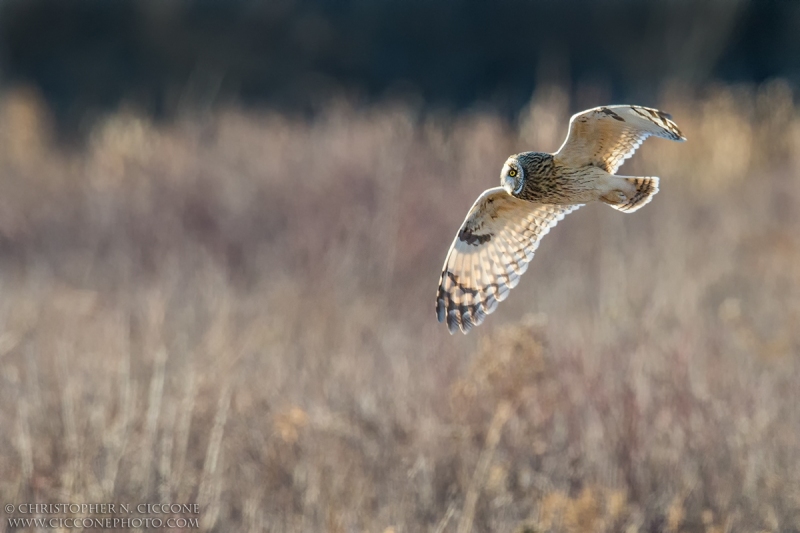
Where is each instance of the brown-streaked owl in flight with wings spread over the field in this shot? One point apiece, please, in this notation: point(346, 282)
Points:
point(505, 224)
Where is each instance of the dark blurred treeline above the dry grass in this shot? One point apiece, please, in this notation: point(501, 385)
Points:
point(89, 56)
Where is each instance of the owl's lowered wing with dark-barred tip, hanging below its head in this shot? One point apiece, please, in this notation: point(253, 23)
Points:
point(489, 254)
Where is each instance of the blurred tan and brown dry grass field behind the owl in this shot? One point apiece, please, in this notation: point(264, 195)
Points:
point(237, 309)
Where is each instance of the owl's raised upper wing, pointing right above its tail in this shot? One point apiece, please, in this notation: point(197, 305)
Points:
point(607, 136)
